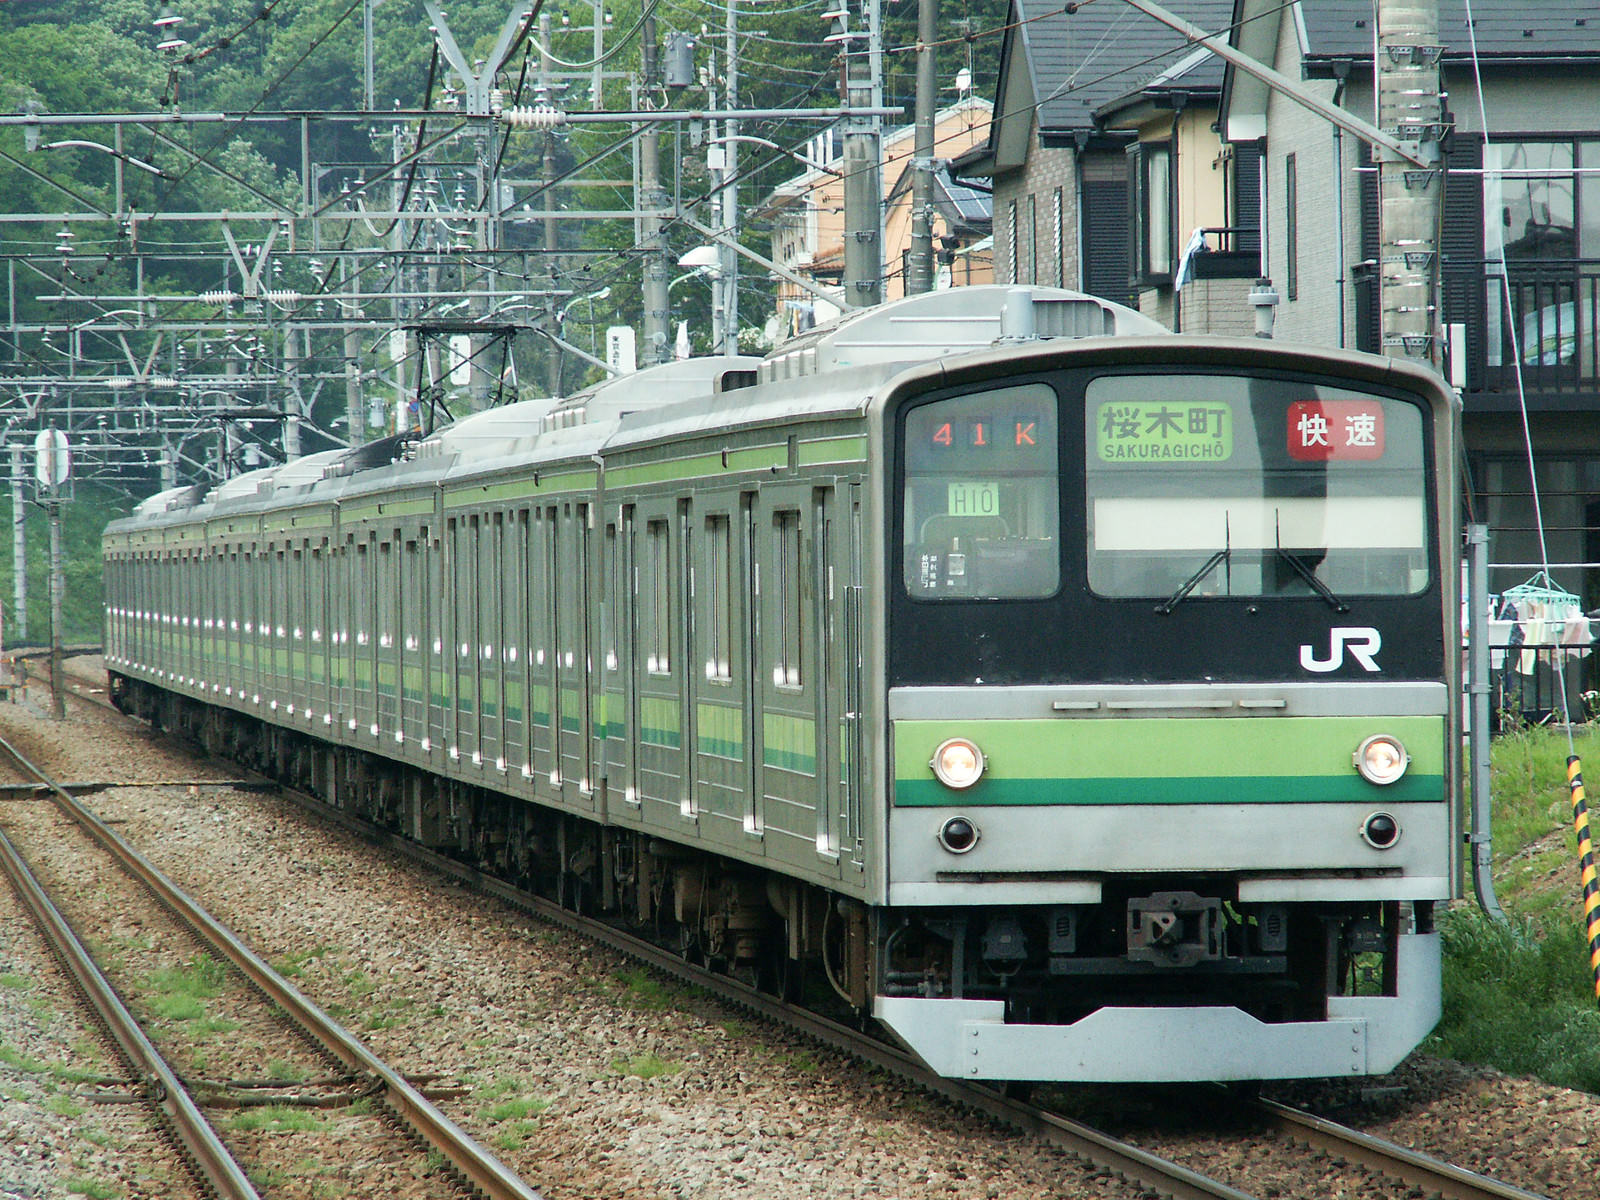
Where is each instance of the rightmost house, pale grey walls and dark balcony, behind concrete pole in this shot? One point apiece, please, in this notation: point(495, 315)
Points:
point(1521, 239)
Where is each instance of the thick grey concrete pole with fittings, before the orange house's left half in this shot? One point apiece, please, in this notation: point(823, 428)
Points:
point(863, 156)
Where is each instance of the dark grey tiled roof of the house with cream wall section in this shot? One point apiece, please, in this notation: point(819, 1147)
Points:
point(1108, 50)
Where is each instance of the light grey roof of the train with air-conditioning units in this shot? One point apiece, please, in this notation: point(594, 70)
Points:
point(828, 372)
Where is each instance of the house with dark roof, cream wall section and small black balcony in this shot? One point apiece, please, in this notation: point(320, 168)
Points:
point(1106, 164)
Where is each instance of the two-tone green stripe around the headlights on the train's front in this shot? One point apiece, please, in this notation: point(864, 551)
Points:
point(1166, 761)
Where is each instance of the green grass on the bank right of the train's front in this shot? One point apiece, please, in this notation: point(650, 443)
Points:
point(1519, 996)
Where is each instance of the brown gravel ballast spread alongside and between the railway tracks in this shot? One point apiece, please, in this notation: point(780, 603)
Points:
point(586, 1074)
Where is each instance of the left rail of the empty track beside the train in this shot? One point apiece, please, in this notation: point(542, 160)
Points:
point(161, 1082)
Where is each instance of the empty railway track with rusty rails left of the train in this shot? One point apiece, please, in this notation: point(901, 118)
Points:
point(217, 1166)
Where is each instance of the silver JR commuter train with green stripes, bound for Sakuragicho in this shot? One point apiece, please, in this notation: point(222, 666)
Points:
point(1073, 698)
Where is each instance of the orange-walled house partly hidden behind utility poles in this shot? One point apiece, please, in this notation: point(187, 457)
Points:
point(809, 214)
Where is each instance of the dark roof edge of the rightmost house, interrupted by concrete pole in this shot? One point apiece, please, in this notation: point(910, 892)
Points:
point(1503, 28)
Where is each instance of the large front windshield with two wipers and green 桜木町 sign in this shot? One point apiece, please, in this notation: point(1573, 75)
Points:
point(1225, 486)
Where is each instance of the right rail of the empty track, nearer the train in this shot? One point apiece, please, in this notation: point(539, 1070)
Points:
point(474, 1162)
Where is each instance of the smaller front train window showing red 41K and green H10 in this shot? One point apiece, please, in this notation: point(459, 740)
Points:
point(982, 497)
